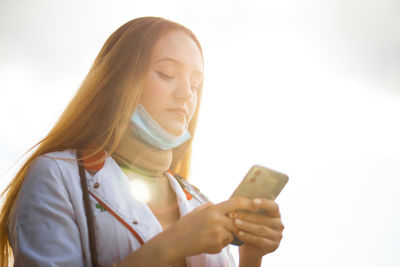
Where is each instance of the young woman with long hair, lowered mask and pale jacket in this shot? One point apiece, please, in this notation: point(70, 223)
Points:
point(131, 123)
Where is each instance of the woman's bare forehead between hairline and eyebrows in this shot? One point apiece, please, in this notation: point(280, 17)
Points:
point(179, 47)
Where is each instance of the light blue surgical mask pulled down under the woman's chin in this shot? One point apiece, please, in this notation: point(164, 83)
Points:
point(149, 131)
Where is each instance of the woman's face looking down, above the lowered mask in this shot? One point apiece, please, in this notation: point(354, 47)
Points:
point(171, 85)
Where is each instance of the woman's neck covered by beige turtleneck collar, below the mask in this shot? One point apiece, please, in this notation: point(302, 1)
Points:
point(140, 157)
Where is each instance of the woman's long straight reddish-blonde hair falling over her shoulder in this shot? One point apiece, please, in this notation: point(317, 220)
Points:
point(102, 107)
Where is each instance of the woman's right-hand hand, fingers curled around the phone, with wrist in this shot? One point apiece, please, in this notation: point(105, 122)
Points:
point(261, 233)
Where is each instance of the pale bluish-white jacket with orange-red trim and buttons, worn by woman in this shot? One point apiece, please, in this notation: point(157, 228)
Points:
point(48, 226)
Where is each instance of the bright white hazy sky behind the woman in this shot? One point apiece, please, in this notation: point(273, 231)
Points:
point(310, 88)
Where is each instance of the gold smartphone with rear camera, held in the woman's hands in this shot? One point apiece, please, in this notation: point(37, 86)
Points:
point(260, 182)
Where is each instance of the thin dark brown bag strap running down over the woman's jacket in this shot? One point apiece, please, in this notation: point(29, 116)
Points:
point(88, 211)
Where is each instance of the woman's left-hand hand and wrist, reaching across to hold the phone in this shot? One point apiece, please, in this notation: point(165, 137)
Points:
point(206, 229)
